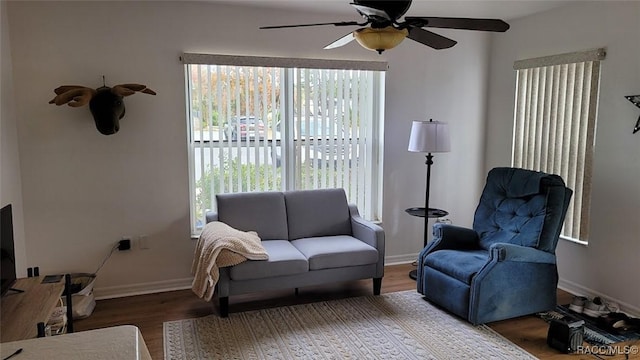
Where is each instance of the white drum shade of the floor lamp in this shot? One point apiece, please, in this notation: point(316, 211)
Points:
point(429, 136)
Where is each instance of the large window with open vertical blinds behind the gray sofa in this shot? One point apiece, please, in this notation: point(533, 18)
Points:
point(258, 124)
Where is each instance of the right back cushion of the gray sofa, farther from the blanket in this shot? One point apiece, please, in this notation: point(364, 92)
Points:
point(320, 212)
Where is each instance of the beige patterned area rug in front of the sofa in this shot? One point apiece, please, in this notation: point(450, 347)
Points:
point(397, 325)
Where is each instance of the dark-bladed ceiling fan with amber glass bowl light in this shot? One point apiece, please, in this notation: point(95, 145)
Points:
point(385, 31)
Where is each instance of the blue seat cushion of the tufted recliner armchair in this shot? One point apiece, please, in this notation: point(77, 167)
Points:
point(460, 265)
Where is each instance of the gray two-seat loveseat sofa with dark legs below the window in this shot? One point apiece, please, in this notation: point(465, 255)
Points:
point(312, 237)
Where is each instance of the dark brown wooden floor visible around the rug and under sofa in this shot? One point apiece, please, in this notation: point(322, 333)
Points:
point(148, 312)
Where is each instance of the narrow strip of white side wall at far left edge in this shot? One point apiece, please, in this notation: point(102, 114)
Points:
point(10, 184)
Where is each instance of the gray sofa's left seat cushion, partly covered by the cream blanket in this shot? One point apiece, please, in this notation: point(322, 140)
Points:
point(284, 259)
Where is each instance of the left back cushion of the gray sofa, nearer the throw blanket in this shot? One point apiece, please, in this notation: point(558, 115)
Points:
point(262, 212)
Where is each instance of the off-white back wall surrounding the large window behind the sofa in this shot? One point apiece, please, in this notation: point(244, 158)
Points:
point(83, 191)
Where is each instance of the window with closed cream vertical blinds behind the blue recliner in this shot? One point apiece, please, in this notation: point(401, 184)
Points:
point(555, 123)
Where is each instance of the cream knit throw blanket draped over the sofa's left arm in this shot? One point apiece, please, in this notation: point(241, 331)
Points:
point(221, 245)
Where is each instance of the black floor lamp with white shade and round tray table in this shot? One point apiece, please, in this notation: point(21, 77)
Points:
point(428, 137)
